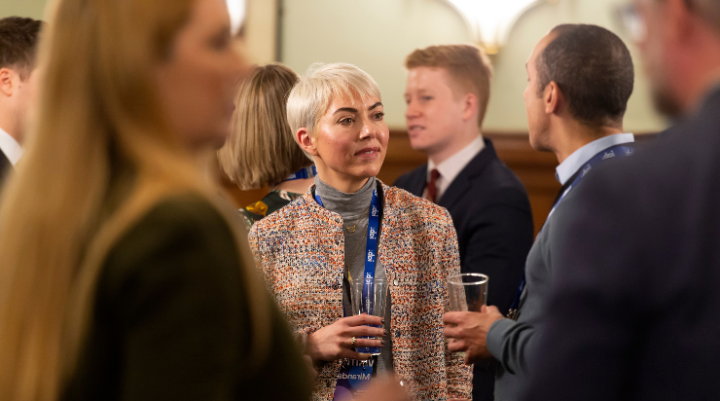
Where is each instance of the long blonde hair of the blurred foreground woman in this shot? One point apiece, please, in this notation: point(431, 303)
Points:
point(98, 117)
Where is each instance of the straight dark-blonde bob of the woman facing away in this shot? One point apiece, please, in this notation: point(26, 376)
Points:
point(260, 150)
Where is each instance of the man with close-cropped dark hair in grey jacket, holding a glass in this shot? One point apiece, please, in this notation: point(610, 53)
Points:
point(578, 117)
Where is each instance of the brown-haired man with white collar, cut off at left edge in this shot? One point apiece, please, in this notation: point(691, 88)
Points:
point(18, 39)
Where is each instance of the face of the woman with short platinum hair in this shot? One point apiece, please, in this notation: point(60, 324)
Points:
point(350, 141)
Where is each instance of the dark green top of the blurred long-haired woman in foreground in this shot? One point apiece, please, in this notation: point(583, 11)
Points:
point(171, 319)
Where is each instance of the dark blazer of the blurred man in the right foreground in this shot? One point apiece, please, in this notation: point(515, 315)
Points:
point(635, 308)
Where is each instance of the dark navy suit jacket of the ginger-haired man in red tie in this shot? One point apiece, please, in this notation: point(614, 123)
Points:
point(492, 217)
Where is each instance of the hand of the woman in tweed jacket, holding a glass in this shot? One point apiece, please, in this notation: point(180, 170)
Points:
point(335, 341)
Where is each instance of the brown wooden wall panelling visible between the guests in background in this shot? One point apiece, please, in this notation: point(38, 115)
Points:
point(535, 169)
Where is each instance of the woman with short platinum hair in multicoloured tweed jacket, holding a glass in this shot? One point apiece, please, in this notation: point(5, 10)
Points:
point(310, 250)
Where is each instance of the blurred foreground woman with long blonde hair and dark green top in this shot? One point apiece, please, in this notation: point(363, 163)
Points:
point(122, 276)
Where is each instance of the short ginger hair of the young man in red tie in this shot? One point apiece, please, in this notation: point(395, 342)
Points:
point(468, 66)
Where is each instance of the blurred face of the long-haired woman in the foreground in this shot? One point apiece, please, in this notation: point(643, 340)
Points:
point(197, 82)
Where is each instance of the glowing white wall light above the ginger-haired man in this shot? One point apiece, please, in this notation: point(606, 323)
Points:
point(490, 21)
